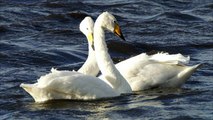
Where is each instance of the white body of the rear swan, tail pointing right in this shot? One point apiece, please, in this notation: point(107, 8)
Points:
point(149, 71)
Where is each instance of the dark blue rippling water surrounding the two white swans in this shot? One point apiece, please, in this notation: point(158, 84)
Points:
point(36, 35)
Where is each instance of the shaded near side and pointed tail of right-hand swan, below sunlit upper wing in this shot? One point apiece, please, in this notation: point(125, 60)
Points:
point(160, 75)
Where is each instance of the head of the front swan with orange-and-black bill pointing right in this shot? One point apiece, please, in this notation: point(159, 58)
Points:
point(109, 22)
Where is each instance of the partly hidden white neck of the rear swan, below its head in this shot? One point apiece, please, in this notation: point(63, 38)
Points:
point(90, 66)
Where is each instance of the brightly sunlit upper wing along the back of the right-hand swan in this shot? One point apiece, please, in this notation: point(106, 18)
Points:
point(139, 61)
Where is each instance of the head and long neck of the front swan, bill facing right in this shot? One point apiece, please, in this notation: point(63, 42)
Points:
point(106, 21)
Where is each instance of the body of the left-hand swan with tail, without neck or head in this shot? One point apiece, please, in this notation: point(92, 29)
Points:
point(68, 85)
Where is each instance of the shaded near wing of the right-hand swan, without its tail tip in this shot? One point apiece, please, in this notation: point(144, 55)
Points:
point(154, 75)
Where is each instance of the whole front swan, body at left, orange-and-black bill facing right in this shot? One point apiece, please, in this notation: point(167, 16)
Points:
point(75, 85)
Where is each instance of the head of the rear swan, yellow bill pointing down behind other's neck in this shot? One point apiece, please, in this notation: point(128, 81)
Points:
point(86, 27)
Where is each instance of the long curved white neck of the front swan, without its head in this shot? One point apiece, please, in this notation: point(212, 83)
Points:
point(105, 64)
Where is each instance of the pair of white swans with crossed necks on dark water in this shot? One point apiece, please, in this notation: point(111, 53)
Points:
point(137, 73)
